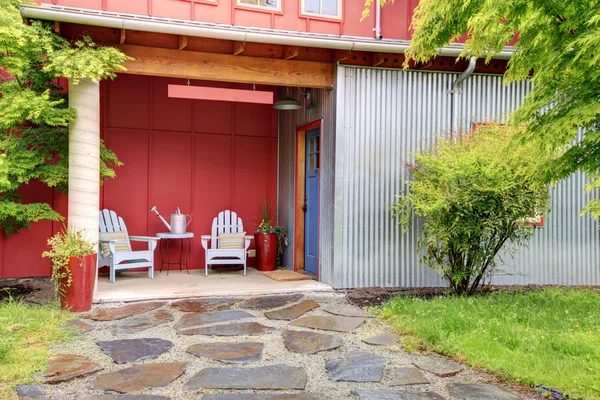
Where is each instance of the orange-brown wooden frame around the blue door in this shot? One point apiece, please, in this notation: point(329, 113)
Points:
point(299, 191)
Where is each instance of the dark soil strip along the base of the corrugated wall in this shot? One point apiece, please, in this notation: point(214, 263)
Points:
point(374, 296)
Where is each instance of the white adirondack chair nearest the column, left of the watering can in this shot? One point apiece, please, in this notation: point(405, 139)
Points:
point(120, 255)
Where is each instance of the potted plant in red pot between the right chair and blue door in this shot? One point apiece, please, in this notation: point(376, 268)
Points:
point(269, 240)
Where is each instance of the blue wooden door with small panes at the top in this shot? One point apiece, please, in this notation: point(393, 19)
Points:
point(311, 215)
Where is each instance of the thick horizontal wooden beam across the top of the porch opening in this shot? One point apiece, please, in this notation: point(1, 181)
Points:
point(154, 61)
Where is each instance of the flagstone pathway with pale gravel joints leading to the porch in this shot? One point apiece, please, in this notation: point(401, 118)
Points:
point(275, 347)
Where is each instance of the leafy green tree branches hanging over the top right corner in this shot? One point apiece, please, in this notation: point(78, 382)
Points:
point(558, 40)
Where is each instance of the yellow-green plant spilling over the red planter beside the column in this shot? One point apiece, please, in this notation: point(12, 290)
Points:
point(63, 246)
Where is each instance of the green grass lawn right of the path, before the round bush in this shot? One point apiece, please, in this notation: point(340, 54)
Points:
point(549, 337)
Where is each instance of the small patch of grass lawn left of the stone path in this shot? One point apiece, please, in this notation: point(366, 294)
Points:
point(26, 332)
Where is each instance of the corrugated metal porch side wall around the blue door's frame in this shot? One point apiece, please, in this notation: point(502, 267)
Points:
point(322, 108)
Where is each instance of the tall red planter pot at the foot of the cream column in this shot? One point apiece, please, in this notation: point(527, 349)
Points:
point(78, 296)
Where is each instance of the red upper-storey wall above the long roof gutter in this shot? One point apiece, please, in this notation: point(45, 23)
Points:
point(395, 17)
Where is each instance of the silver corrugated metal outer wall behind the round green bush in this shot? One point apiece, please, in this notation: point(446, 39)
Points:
point(384, 116)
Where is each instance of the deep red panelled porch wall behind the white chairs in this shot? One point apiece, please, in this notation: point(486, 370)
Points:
point(202, 156)
